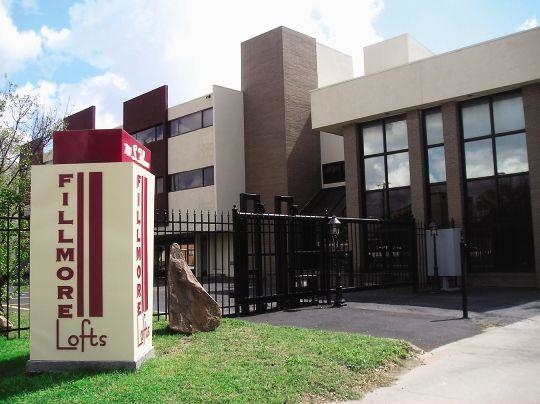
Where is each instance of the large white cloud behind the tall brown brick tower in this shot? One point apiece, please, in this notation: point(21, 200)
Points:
point(188, 45)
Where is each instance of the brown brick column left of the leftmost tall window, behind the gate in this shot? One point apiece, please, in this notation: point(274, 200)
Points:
point(353, 174)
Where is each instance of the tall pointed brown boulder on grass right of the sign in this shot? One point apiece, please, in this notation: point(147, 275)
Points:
point(191, 308)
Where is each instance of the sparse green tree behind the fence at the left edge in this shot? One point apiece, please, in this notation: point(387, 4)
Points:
point(26, 127)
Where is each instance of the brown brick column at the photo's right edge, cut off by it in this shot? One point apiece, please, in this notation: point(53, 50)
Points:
point(531, 106)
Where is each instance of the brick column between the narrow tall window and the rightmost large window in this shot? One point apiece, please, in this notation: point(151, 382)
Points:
point(454, 169)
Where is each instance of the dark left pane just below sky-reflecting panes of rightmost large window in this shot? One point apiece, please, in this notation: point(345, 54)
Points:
point(481, 199)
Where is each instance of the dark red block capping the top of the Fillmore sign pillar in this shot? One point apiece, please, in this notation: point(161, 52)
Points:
point(98, 146)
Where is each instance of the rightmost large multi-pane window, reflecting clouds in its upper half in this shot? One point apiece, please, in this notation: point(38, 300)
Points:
point(497, 184)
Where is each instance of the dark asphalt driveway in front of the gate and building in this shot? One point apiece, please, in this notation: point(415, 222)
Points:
point(426, 320)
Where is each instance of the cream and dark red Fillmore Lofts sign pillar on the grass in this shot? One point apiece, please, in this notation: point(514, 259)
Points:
point(91, 255)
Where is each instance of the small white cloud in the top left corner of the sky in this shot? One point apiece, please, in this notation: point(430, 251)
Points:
point(16, 47)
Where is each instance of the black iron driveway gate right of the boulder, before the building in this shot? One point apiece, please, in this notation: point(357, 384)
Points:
point(283, 260)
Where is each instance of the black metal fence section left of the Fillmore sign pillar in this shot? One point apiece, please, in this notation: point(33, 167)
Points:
point(14, 273)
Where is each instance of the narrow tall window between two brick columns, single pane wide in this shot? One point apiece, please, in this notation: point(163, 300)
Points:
point(436, 168)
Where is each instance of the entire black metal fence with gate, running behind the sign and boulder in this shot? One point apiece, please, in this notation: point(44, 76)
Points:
point(249, 262)
